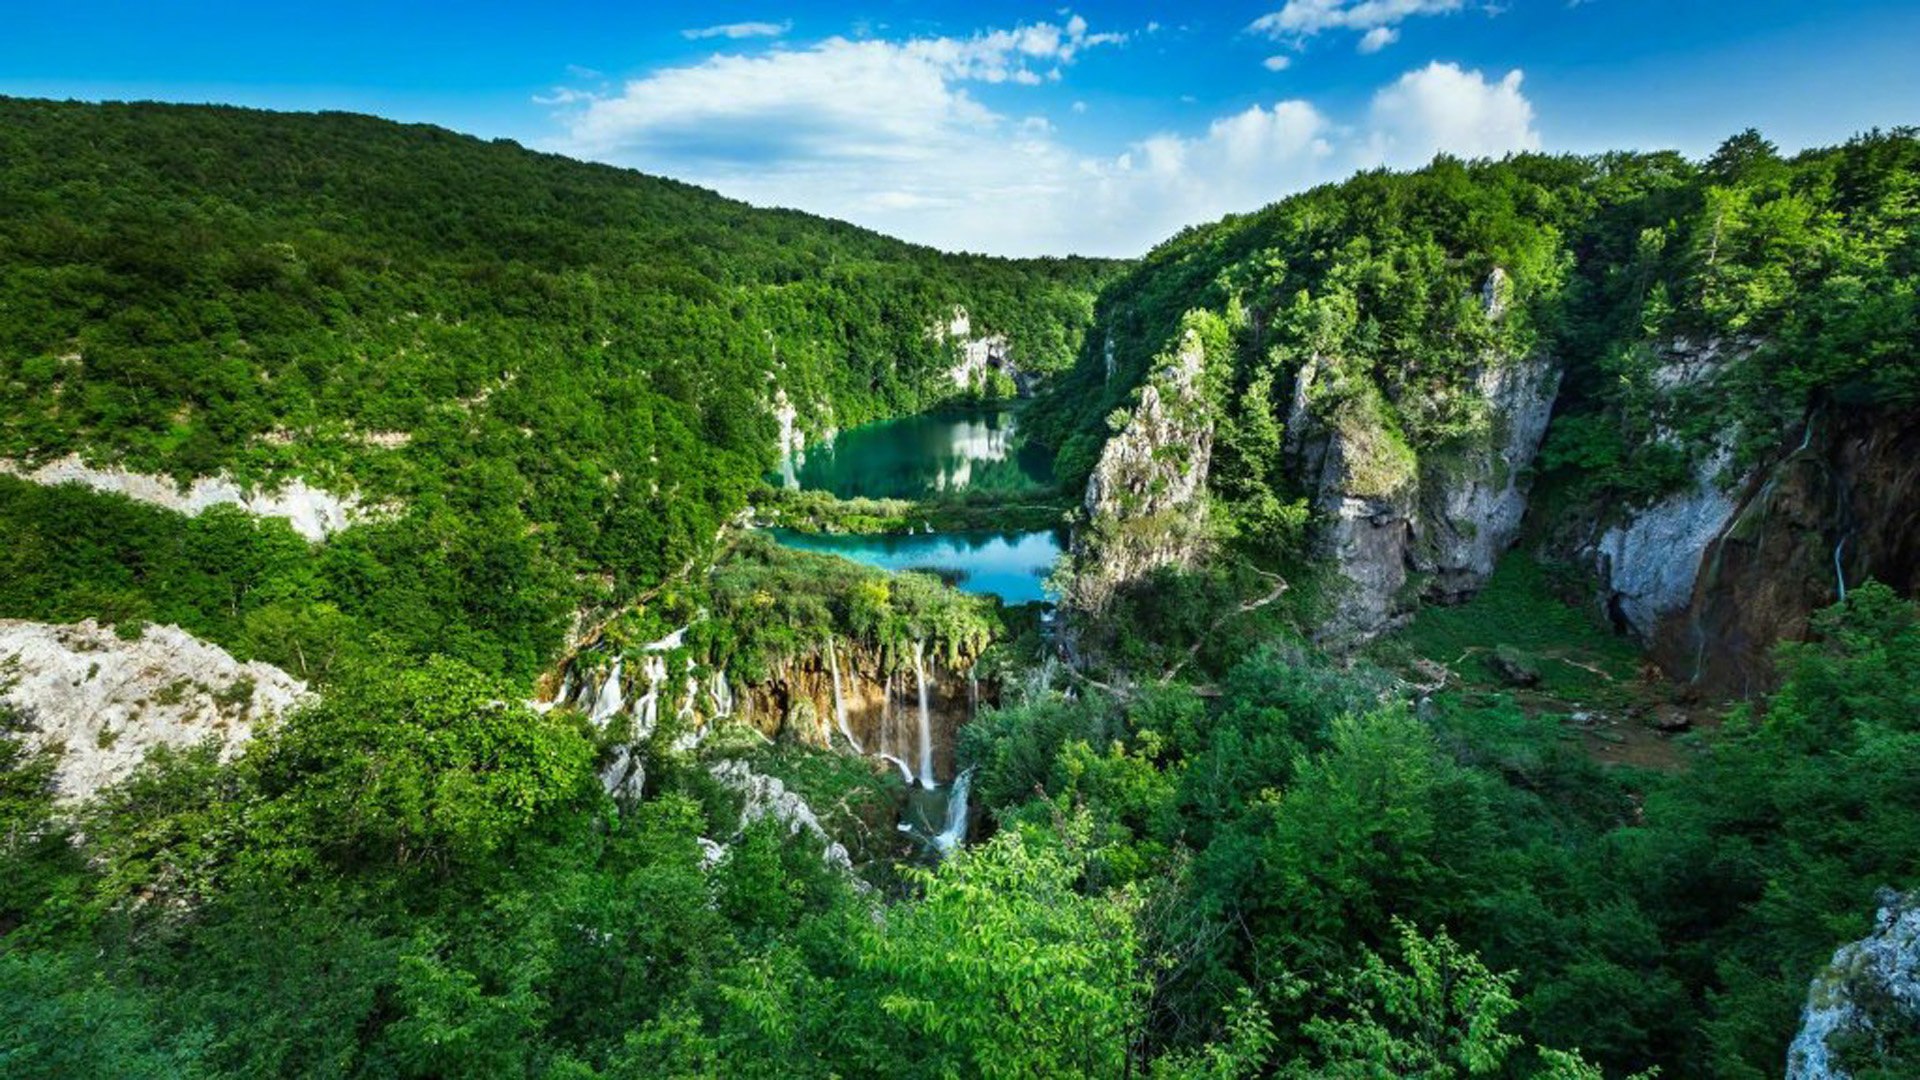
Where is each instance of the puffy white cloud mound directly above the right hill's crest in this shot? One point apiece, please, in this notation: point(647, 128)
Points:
point(1445, 109)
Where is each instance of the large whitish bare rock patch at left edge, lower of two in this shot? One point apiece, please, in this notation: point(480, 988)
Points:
point(105, 702)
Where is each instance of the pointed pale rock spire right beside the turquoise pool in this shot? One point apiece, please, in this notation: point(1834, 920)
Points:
point(1145, 503)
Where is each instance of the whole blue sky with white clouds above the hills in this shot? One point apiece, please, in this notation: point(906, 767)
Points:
point(1015, 128)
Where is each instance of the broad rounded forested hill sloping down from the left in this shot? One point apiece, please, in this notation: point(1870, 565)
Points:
point(564, 376)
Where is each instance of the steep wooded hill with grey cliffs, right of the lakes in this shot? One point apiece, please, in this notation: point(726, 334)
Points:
point(1708, 368)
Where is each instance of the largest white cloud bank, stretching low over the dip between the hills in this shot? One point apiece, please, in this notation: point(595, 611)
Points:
point(898, 135)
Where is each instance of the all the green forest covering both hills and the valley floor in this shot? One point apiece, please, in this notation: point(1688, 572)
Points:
point(1212, 850)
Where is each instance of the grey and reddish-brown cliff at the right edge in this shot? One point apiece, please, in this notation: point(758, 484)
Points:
point(1716, 574)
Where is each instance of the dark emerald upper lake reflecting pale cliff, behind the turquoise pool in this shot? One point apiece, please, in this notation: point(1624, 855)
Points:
point(924, 456)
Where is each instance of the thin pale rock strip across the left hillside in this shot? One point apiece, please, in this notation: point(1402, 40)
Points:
point(310, 510)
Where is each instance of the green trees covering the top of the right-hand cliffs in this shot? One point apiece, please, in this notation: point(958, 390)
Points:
point(1397, 287)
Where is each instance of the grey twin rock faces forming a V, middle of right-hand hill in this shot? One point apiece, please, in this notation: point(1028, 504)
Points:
point(1397, 526)
